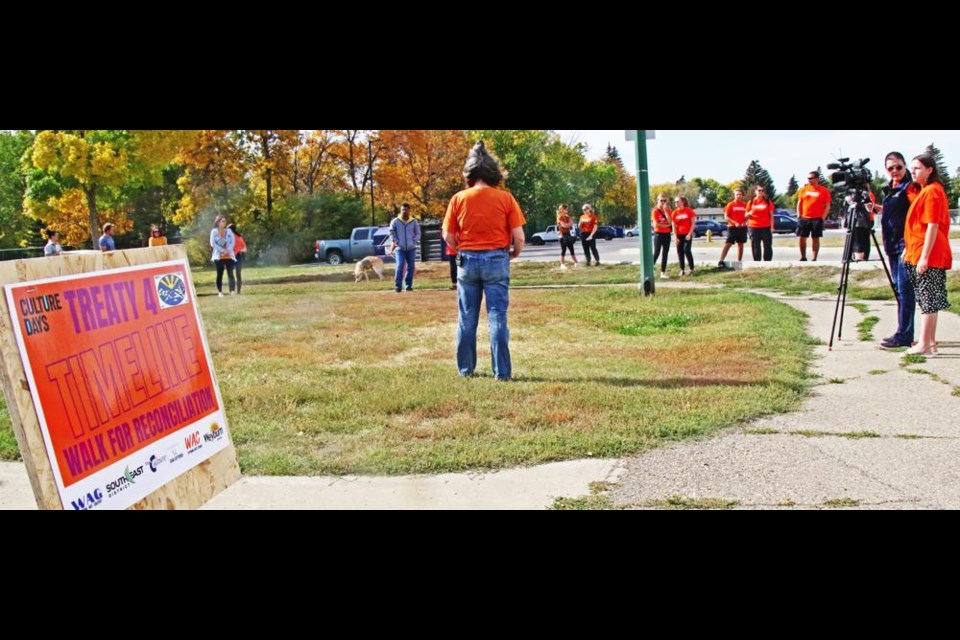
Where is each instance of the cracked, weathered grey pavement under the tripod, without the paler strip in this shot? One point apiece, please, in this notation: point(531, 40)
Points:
point(874, 434)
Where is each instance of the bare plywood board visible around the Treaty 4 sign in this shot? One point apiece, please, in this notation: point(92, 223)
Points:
point(187, 491)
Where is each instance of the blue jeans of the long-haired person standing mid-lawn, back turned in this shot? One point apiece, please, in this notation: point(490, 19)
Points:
point(484, 272)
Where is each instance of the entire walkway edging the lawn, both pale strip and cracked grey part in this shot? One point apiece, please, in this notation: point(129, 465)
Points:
point(874, 434)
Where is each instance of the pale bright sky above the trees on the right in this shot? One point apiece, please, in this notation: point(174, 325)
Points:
point(725, 154)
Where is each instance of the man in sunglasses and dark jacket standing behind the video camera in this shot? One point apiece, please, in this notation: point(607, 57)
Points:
point(896, 204)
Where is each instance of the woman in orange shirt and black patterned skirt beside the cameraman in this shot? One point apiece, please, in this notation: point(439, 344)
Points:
point(927, 255)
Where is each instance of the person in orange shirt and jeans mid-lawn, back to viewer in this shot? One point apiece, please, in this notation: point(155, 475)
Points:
point(481, 223)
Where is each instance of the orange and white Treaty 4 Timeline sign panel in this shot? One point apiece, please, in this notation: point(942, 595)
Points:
point(122, 380)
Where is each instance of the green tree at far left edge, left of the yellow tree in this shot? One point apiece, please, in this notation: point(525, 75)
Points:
point(15, 227)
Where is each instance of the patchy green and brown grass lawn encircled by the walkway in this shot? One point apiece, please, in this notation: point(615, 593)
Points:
point(323, 376)
